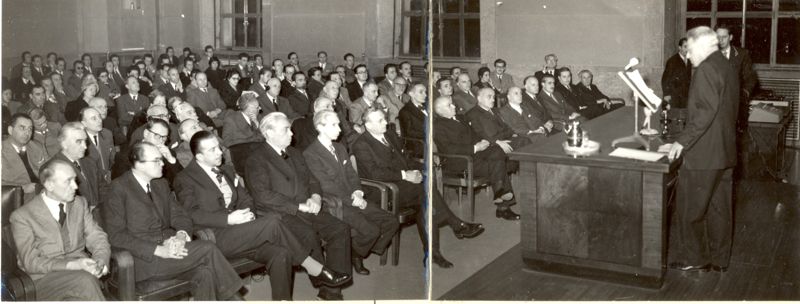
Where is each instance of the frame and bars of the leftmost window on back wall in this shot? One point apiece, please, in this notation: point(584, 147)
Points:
point(220, 17)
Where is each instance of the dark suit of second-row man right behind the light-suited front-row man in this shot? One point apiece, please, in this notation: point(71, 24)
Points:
point(91, 184)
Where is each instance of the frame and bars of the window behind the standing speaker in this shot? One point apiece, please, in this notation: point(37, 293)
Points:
point(774, 15)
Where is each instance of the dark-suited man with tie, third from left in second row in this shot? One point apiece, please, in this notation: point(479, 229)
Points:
point(100, 142)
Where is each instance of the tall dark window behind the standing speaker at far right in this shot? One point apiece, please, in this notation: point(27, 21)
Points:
point(771, 27)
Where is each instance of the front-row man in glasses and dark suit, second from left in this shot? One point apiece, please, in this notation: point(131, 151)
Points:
point(144, 218)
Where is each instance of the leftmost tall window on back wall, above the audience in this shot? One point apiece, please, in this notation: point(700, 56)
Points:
point(240, 24)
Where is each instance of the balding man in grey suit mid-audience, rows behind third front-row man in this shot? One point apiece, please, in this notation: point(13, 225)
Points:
point(205, 97)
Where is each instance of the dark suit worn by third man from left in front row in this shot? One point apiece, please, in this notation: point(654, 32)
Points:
point(265, 239)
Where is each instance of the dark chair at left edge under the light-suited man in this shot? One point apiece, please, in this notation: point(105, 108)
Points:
point(18, 285)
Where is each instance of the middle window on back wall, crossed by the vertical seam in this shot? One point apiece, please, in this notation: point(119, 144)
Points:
point(456, 28)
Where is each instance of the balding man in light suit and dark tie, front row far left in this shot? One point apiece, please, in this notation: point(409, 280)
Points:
point(59, 243)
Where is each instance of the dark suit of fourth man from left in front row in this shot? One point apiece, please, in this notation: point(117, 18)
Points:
point(279, 186)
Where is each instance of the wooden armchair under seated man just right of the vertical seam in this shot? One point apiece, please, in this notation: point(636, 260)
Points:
point(462, 181)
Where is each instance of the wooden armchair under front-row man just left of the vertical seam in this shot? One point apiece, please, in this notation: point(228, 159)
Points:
point(390, 195)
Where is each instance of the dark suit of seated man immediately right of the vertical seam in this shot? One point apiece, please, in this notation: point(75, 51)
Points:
point(457, 137)
